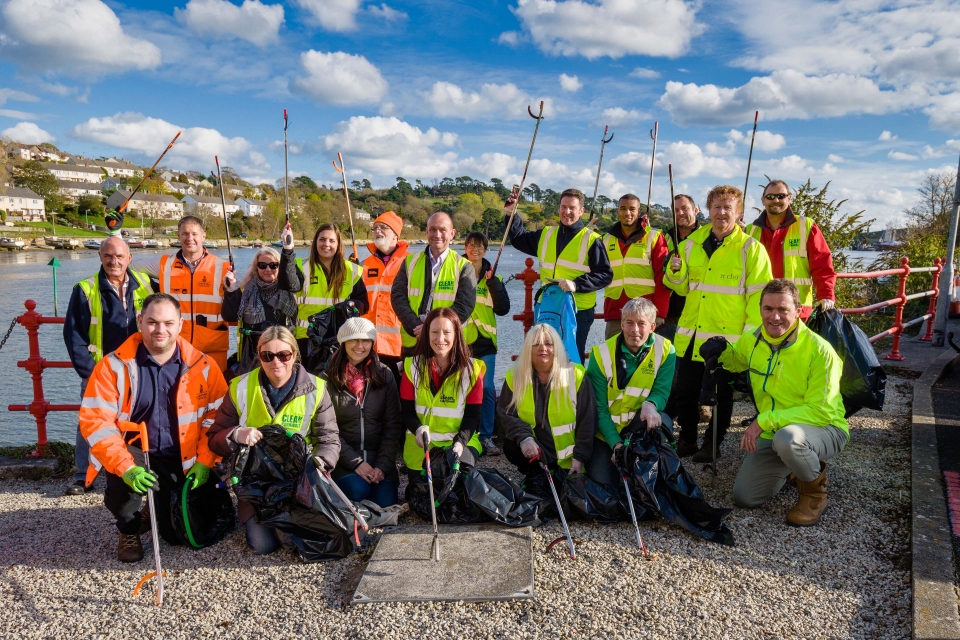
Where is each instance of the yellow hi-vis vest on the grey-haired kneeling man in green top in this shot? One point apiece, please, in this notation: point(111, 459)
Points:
point(625, 403)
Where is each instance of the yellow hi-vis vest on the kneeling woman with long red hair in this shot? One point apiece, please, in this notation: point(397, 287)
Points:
point(441, 412)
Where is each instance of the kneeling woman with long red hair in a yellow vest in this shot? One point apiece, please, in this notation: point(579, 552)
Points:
point(441, 392)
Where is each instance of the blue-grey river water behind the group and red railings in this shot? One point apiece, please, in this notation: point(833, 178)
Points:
point(25, 275)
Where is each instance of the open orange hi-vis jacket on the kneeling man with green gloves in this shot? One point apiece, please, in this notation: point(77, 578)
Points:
point(112, 393)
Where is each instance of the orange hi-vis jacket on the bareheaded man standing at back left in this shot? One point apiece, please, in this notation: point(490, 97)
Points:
point(200, 293)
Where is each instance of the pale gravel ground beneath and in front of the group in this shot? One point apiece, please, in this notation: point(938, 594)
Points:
point(848, 577)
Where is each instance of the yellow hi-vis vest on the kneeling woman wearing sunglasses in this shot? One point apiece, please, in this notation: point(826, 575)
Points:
point(295, 416)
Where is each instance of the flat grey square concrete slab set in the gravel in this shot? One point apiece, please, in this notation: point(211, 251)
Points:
point(477, 563)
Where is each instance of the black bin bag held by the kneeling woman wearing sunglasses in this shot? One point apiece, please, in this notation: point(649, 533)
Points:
point(289, 494)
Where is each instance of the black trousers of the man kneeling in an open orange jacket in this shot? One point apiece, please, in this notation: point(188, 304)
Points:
point(125, 504)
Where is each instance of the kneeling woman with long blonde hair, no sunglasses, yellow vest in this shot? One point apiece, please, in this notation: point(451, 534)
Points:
point(545, 408)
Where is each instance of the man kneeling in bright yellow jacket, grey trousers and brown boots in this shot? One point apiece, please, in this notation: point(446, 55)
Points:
point(795, 376)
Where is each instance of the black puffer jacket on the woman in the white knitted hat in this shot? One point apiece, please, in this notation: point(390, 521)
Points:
point(371, 433)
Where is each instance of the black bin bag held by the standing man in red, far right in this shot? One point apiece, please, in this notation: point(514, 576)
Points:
point(863, 382)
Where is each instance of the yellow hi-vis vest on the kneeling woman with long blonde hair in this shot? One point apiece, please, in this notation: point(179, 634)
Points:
point(561, 411)
